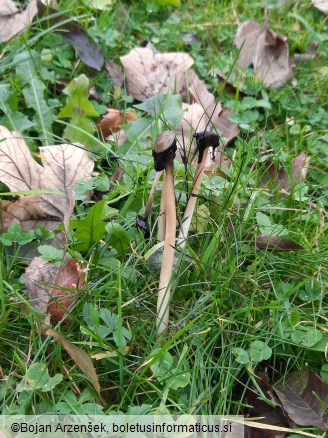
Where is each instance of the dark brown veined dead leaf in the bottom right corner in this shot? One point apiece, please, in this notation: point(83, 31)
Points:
point(304, 396)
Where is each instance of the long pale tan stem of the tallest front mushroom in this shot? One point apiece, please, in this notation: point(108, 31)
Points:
point(164, 290)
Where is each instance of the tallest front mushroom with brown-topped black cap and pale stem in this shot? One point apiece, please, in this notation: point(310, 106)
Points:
point(164, 153)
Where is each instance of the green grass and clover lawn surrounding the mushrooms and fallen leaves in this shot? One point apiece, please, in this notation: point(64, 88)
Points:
point(227, 294)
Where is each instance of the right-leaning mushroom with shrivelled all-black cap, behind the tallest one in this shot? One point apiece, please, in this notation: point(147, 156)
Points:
point(203, 141)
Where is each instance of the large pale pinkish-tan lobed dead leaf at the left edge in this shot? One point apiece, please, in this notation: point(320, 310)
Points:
point(62, 166)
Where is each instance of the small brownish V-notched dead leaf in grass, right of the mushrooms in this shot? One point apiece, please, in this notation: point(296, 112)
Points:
point(277, 177)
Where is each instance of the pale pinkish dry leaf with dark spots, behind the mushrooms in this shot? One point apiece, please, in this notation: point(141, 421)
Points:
point(148, 73)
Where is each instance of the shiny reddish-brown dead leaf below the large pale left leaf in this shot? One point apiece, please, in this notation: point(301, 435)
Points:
point(69, 278)
